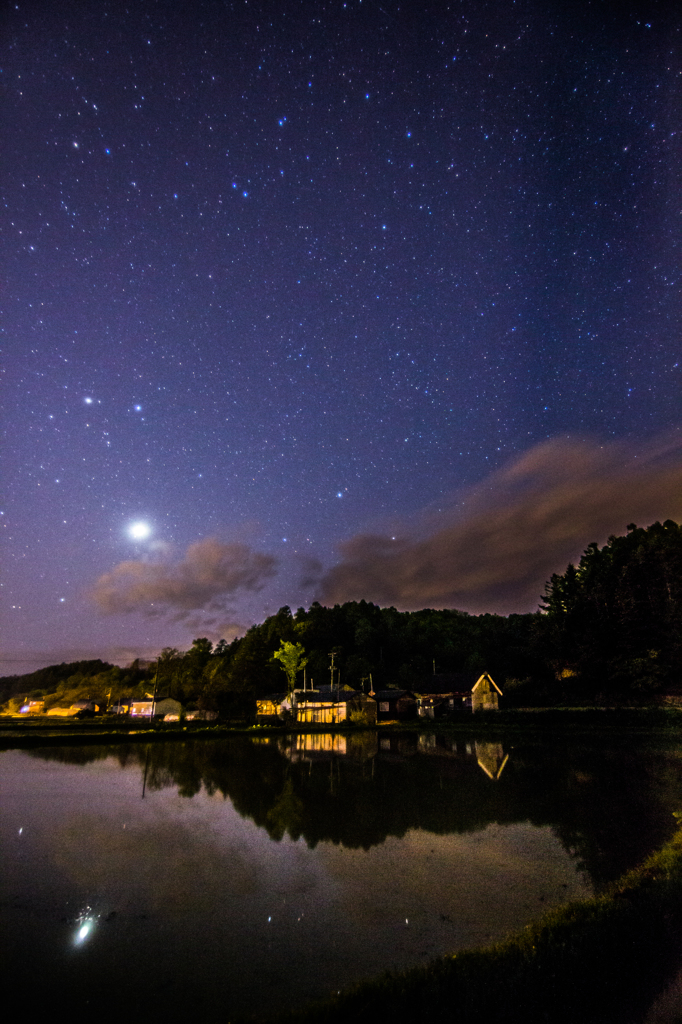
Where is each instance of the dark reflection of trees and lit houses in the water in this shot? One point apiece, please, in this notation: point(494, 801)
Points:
point(609, 801)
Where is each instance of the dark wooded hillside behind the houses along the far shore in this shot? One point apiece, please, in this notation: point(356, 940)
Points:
point(611, 628)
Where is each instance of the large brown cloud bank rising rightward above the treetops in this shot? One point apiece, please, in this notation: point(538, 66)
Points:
point(495, 551)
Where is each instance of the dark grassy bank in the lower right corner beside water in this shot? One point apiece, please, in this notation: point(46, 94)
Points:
point(601, 961)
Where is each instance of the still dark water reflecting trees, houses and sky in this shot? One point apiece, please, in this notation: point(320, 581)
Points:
point(235, 877)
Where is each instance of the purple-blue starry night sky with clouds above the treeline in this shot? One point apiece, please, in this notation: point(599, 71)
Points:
point(342, 301)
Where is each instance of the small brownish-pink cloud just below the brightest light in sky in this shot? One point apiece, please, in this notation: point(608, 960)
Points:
point(209, 574)
